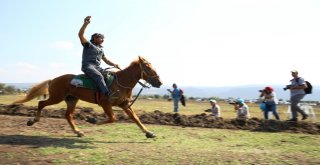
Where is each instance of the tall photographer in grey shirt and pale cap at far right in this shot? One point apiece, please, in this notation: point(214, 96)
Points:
point(297, 93)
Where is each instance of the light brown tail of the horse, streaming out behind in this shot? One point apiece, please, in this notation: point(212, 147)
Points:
point(35, 91)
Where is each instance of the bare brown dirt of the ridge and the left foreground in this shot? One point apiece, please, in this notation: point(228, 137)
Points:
point(14, 120)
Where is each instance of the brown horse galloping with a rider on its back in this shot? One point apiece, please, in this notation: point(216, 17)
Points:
point(125, 80)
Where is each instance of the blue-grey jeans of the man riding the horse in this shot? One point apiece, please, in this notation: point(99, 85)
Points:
point(95, 73)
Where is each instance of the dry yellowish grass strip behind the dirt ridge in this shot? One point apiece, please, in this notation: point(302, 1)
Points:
point(193, 107)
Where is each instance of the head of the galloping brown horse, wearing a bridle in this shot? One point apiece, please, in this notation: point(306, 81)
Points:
point(148, 73)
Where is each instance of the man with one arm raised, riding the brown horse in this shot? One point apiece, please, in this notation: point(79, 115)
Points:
point(92, 55)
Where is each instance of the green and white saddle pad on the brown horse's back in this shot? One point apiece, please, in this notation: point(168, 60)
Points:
point(83, 81)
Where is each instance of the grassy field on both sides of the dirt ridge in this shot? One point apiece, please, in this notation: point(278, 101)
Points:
point(51, 141)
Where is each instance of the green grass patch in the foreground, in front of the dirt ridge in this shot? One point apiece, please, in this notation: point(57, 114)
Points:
point(125, 144)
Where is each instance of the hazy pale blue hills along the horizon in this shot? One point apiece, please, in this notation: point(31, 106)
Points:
point(246, 91)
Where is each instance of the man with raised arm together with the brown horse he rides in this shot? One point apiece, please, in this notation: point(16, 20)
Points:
point(62, 89)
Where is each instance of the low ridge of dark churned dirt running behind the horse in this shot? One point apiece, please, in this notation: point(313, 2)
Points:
point(158, 117)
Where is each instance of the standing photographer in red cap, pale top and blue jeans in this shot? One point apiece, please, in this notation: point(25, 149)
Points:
point(270, 100)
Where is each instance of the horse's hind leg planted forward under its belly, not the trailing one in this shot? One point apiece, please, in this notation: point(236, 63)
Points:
point(71, 105)
